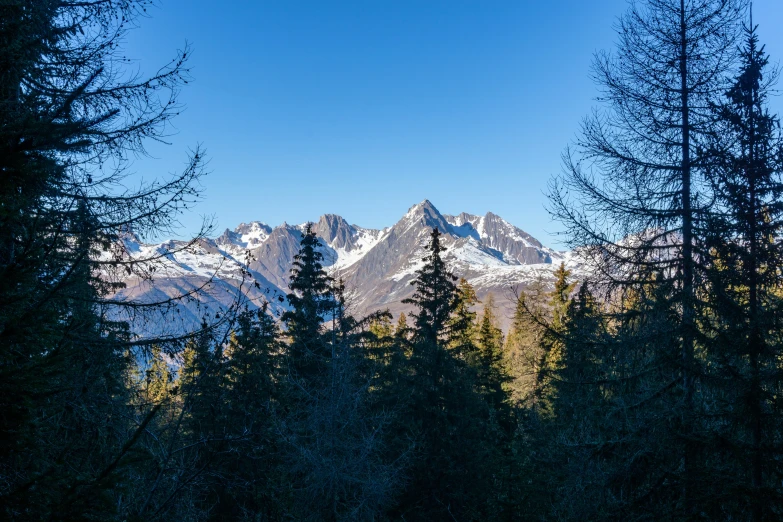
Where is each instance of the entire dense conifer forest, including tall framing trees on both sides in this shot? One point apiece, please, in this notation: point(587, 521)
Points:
point(651, 390)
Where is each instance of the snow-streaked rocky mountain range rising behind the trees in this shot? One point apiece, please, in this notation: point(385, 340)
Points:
point(254, 261)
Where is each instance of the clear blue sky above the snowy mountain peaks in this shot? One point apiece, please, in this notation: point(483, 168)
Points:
point(365, 108)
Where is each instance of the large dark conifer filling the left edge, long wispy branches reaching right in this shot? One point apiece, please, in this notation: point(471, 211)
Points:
point(71, 122)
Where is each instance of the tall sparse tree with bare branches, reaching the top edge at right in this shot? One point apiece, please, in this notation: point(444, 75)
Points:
point(635, 190)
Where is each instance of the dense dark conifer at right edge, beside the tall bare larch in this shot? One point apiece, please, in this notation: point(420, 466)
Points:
point(743, 299)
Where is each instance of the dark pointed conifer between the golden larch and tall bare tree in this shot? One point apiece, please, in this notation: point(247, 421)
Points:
point(580, 423)
